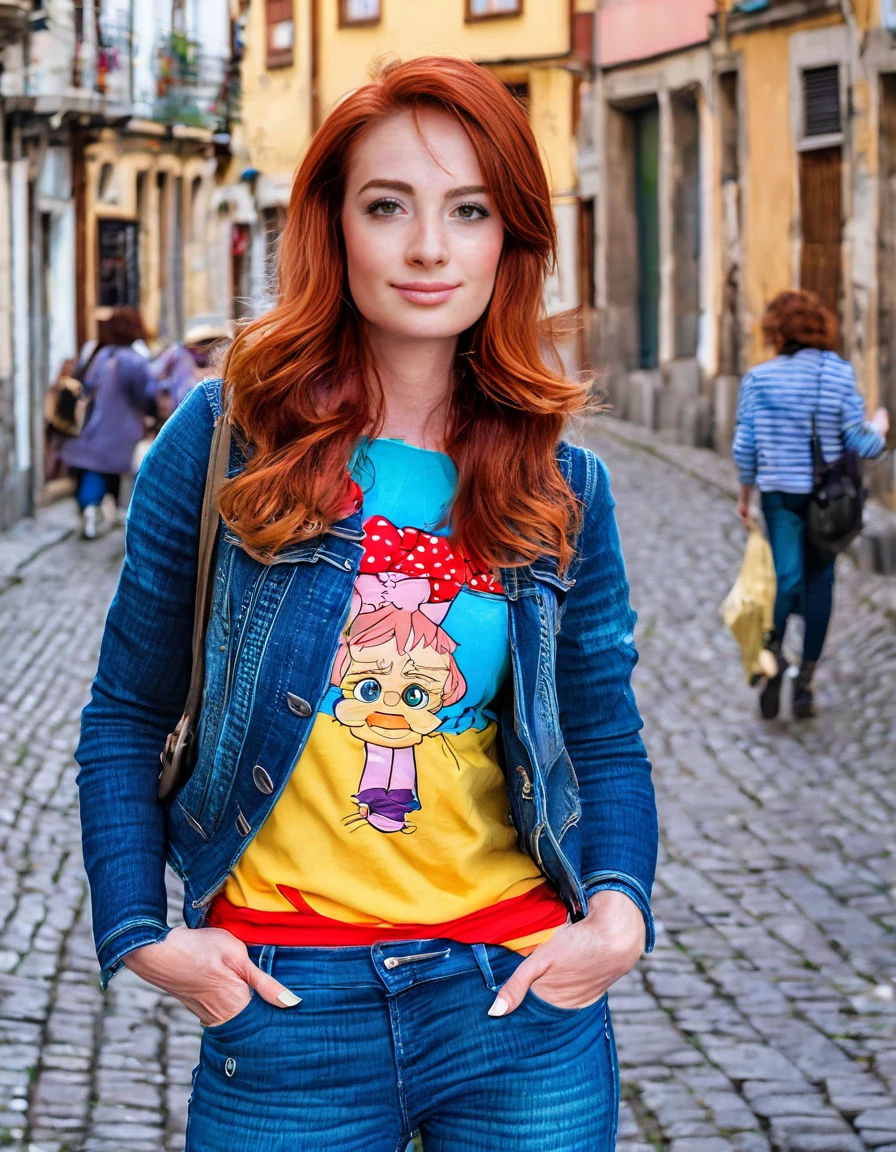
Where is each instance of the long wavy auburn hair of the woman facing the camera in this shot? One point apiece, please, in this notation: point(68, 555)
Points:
point(301, 381)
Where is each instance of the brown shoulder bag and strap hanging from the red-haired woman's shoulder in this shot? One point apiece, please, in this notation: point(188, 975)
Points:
point(181, 749)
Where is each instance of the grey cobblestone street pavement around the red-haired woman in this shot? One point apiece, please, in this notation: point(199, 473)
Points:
point(765, 1020)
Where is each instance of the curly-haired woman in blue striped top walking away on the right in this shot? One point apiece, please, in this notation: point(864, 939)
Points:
point(772, 450)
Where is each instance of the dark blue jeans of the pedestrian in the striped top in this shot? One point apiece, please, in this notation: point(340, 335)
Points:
point(806, 577)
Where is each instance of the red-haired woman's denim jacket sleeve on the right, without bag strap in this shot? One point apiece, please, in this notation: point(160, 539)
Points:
point(599, 715)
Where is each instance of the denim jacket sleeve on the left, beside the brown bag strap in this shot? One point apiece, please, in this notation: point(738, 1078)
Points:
point(140, 691)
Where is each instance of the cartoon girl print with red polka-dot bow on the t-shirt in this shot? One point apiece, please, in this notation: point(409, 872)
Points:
point(397, 666)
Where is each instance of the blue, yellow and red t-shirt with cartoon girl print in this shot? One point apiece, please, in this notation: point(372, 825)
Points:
point(396, 823)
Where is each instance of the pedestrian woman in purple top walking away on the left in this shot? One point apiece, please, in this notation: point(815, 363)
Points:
point(117, 388)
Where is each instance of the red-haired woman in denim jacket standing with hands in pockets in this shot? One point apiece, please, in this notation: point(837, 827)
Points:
point(421, 837)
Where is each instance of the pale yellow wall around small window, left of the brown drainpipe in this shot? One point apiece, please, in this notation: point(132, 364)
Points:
point(277, 104)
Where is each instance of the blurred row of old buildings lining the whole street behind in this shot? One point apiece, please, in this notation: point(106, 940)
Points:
point(703, 157)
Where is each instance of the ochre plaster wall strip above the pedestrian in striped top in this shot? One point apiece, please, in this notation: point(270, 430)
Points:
point(772, 184)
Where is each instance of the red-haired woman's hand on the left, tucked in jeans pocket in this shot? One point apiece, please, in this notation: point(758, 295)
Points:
point(209, 972)
